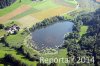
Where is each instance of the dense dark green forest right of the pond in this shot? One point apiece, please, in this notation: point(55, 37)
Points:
point(88, 45)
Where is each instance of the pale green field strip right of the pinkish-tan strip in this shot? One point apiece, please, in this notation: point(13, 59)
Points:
point(37, 8)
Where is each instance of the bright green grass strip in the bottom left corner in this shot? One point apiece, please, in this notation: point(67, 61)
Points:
point(6, 50)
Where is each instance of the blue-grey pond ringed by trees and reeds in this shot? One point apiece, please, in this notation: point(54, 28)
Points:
point(51, 36)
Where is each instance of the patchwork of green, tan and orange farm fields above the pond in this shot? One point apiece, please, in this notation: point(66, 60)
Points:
point(28, 11)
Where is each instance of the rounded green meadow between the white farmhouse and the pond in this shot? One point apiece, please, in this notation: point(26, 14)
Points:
point(16, 40)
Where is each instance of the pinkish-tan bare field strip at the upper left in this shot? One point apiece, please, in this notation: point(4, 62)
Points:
point(19, 10)
